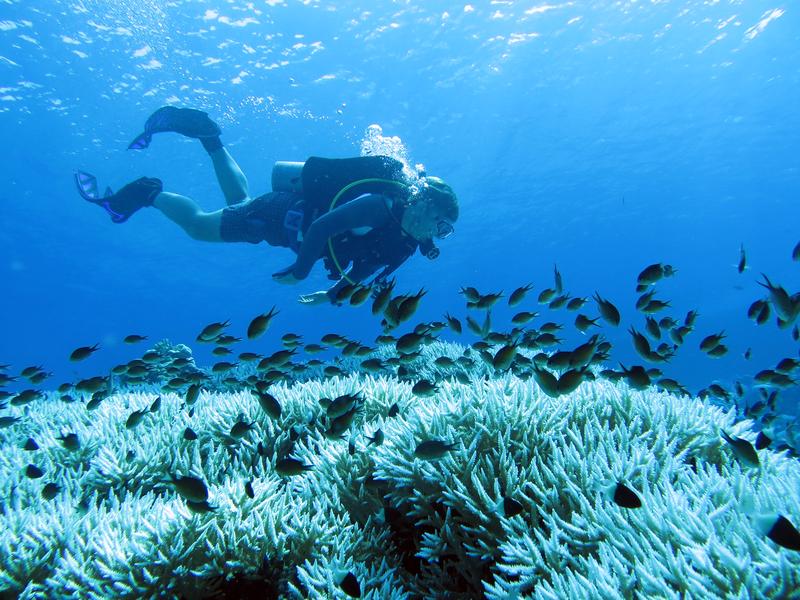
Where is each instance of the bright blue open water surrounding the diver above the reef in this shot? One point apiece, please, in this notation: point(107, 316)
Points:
point(598, 136)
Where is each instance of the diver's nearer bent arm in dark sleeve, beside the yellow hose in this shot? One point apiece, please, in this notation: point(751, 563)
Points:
point(370, 210)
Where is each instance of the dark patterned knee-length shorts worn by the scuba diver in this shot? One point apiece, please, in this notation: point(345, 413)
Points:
point(258, 220)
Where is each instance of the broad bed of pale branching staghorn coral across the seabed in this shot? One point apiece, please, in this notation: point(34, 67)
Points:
point(404, 527)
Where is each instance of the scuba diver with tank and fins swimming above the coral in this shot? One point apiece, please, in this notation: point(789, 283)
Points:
point(362, 212)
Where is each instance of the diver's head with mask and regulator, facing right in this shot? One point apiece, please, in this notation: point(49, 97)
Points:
point(431, 215)
